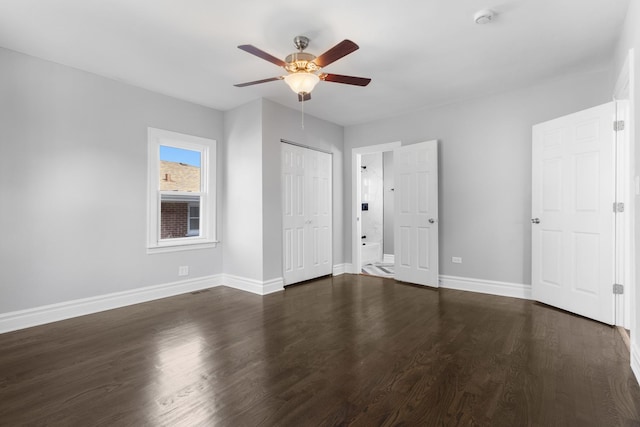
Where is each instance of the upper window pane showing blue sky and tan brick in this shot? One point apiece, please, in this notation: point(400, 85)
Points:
point(179, 169)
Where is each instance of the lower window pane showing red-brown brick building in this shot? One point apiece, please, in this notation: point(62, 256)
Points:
point(175, 218)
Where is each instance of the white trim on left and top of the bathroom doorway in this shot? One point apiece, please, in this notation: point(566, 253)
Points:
point(356, 197)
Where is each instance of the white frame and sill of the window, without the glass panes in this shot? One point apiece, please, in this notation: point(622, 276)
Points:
point(207, 148)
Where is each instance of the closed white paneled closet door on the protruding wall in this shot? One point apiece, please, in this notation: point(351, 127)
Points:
point(306, 194)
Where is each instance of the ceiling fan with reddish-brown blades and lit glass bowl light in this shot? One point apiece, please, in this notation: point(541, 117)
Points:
point(304, 70)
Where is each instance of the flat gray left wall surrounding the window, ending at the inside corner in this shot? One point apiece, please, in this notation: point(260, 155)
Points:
point(73, 180)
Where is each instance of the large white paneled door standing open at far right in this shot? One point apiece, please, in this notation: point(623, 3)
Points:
point(572, 213)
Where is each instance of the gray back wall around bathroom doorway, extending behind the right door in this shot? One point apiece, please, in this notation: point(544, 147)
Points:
point(484, 170)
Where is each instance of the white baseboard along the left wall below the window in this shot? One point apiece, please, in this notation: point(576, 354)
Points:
point(15, 320)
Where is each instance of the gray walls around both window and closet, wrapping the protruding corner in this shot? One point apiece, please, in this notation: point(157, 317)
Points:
point(73, 171)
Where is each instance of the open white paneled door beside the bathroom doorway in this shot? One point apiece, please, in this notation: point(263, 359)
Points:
point(416, 213)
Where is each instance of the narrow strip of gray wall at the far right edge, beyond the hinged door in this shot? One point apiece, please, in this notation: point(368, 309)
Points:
point(630, 38)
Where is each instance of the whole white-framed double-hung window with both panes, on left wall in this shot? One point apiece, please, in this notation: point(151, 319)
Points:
point(181, 198)
